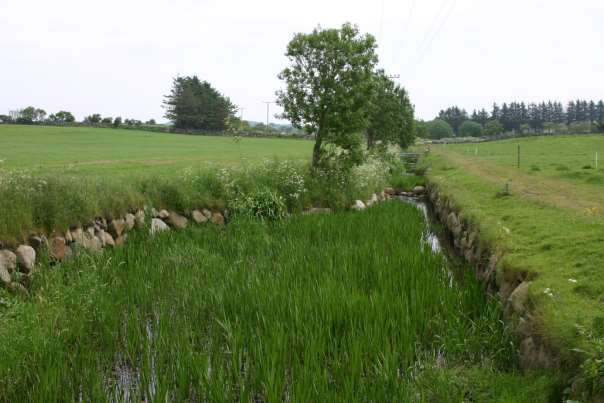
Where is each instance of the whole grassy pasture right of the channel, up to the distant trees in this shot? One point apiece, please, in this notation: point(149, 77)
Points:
point(551, 224)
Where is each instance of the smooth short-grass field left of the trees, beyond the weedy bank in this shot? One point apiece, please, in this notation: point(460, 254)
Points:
point(114, 152)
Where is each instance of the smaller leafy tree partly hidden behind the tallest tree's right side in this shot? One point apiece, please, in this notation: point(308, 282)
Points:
point(391, 114)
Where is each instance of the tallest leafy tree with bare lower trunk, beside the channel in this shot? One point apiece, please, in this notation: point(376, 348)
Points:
point(329, 85)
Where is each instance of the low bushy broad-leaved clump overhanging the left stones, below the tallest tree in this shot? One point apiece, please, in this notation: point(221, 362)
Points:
point(264, 204)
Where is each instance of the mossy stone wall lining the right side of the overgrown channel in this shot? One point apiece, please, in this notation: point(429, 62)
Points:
point(510, 285)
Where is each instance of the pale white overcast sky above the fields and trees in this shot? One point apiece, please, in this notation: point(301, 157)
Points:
point(118, 57)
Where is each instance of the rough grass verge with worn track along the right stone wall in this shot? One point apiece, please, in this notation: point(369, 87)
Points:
point(541, 226)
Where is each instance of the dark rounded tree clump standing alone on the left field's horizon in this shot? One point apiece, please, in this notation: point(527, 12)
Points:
point(195, 104)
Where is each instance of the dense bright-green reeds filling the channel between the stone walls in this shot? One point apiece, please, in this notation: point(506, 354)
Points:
point(341, 307)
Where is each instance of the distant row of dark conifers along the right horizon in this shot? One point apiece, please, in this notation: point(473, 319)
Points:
point(520, 118)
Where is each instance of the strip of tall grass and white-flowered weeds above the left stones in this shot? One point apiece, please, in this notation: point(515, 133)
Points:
point(45, 203)
